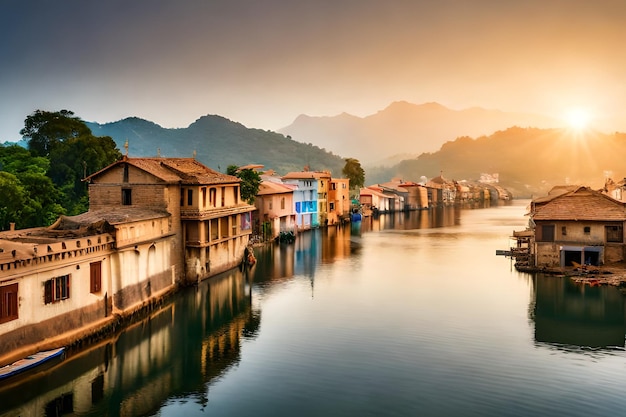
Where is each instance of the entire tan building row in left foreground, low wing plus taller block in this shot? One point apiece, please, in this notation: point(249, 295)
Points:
point(153, 224)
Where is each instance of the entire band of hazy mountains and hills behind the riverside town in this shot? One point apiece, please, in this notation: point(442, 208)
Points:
point(528, 160)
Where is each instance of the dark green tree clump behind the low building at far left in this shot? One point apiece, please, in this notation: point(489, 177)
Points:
point(44, 181)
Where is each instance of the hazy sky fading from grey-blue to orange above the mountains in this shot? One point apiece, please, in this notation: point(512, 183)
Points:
point(264, 62)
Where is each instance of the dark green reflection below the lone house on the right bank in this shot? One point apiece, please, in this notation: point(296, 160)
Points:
point(570, 314)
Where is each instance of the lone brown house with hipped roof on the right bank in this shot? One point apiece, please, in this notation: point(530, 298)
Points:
point(577, 225)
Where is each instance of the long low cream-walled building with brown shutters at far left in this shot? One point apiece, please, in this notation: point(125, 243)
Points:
point(80, 273)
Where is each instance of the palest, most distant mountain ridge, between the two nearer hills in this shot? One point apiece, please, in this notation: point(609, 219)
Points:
point(404, 130)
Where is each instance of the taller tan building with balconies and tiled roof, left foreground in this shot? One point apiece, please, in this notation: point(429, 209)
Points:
point(211, 223)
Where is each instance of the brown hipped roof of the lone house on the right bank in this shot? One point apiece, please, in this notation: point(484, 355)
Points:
point(581, 204)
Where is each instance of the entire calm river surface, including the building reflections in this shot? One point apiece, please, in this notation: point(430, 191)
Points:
point(404, 316)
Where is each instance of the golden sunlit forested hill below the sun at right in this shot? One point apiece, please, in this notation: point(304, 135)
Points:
point(529, 161)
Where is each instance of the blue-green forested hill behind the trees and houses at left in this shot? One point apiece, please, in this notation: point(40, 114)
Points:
point(218, 143)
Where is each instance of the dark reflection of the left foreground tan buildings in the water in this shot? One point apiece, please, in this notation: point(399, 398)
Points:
point(139, 369)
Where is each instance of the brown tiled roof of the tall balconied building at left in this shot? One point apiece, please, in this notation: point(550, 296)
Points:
point(174, 170)
